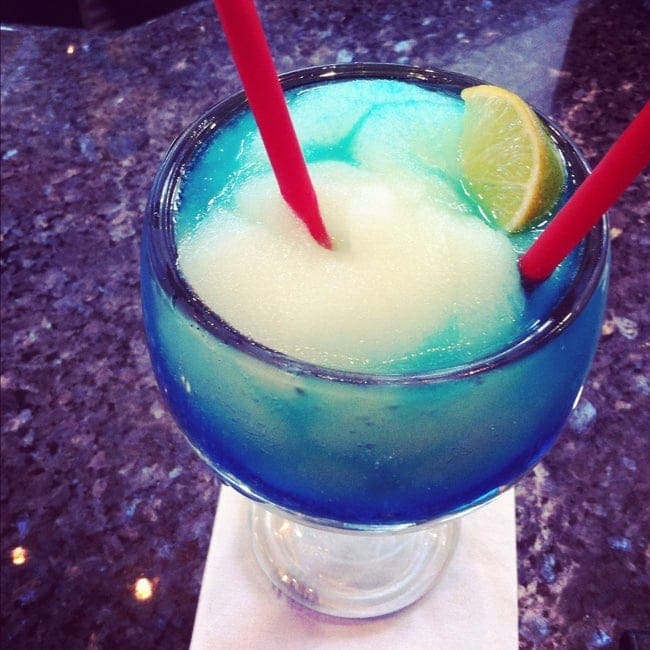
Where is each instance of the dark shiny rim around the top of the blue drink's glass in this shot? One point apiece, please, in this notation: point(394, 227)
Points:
point(161, 248)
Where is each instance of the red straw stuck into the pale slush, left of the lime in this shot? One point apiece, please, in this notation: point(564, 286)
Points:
point(245, 35)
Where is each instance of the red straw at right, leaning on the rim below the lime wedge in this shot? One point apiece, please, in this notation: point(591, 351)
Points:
point(626, 159)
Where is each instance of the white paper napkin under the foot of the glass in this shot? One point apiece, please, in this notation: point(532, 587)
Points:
point(473, 606)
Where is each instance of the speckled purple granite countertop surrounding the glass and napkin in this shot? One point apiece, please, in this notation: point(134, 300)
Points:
point(99, 488)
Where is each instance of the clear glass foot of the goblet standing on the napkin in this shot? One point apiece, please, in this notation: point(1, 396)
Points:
point(350, 574)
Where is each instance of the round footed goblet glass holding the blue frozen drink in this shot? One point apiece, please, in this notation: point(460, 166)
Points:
point(358, 479)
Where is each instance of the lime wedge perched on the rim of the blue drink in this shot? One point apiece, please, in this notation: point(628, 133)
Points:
point(509, 163)
